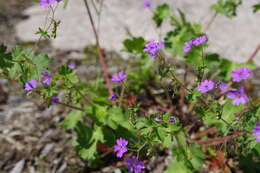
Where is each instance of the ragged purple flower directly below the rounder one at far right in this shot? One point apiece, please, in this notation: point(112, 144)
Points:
point(238, 96)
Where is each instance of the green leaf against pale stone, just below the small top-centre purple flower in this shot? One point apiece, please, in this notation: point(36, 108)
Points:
point(162, 12)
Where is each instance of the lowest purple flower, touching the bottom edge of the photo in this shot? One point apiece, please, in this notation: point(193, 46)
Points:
point(134, 165)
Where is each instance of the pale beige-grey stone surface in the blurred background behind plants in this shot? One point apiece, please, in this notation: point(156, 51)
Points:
point(234, 38)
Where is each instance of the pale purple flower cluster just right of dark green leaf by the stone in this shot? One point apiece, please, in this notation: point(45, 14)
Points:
point(152, 47)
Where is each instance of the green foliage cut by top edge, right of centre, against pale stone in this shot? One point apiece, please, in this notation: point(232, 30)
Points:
point(226, 7)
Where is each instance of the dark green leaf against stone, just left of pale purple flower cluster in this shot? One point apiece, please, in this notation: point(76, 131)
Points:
point(134, 45)
